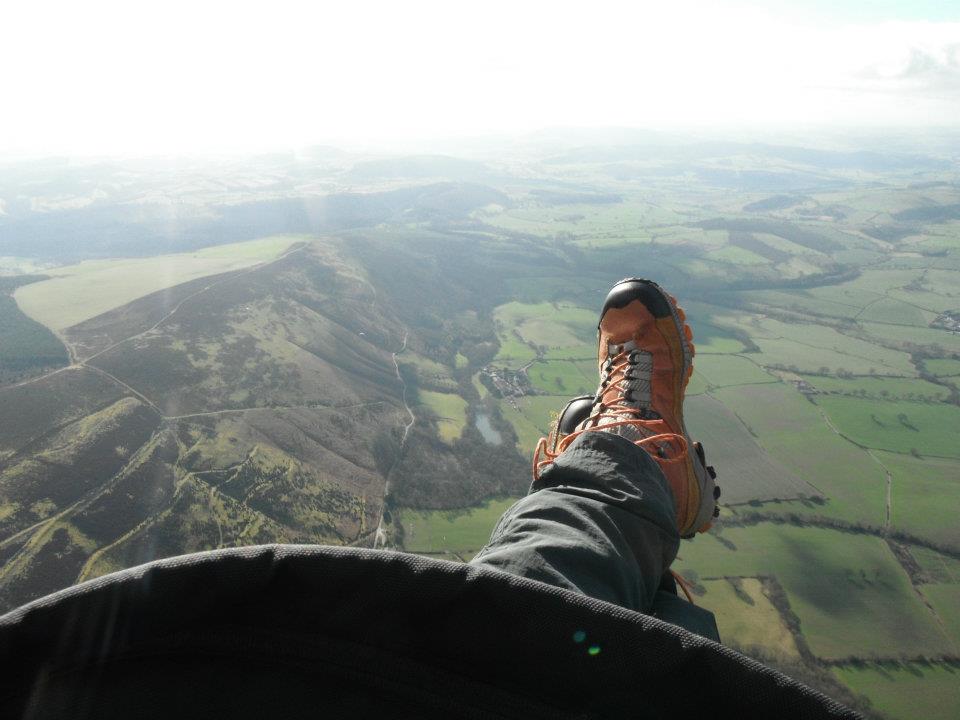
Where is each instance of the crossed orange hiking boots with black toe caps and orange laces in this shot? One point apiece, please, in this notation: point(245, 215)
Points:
point(645, 359)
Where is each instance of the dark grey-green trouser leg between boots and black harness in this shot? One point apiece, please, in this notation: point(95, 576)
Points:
point(600, 521)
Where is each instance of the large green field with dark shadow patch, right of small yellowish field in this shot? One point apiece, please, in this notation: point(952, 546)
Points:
point(849, 591)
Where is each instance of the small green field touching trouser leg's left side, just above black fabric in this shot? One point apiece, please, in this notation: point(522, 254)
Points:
point(462, 532)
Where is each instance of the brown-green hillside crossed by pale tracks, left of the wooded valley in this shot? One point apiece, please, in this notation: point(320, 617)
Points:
point(262, 410)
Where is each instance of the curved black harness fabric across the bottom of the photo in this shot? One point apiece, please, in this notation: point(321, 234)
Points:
point(293, 630)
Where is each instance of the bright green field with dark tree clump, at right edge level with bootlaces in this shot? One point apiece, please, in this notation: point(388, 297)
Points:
point(928, 428)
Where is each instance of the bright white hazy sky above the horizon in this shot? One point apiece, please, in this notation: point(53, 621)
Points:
point(148, 77)
